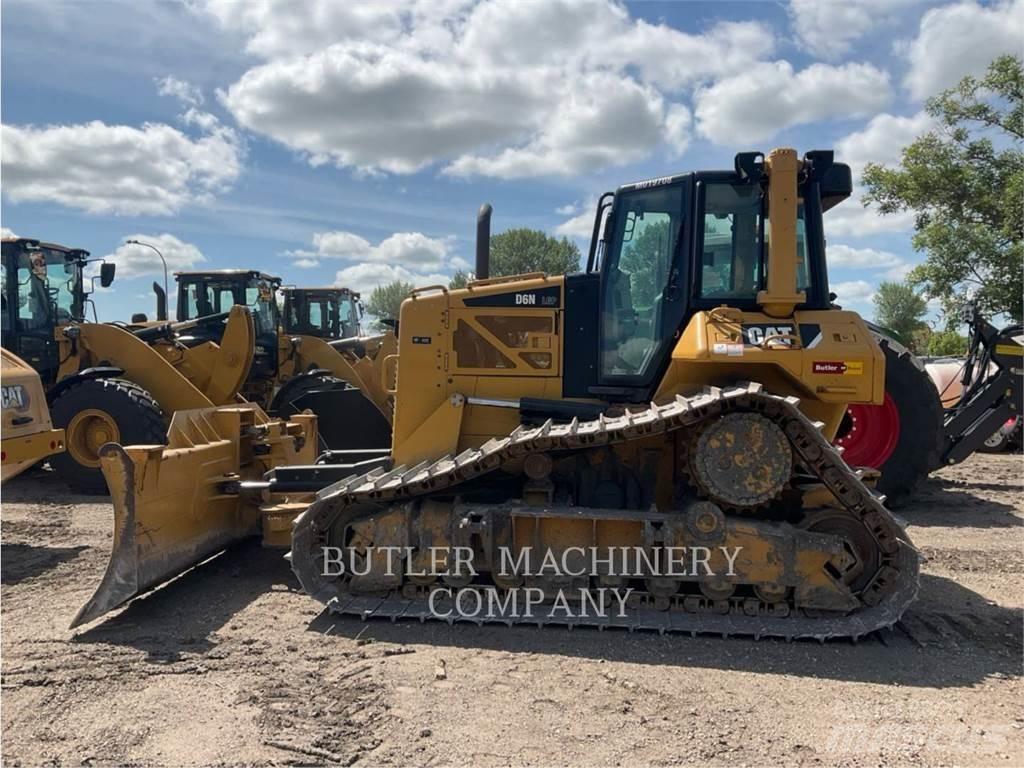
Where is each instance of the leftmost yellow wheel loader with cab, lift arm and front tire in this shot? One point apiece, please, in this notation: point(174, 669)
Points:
point(110, 381)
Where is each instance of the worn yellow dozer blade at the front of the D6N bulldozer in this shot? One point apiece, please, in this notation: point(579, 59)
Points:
point(178, 505)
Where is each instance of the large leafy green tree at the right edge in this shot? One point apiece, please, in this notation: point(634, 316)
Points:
point(965, 184)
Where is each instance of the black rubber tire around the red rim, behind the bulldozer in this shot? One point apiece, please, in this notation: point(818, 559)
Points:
point(920, 446)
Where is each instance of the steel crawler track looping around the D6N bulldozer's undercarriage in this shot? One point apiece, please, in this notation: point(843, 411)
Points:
point(360, 498)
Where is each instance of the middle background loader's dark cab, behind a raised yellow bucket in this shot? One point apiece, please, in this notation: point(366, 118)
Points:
point(211, 292)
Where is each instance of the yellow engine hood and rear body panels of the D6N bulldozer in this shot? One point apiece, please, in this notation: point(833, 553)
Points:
point(503, 356)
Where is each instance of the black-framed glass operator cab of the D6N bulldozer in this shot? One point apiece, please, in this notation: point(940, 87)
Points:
point(667, 248)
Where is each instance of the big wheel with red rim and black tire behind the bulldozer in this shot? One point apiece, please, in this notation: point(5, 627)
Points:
point(903, 438)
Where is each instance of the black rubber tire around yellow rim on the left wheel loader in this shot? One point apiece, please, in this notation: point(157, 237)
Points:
point(138, 416)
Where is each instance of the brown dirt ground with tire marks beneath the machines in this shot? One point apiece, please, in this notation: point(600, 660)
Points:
point(232, 665)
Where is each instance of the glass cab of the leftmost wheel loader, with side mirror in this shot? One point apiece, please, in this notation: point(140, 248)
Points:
point(44, 290)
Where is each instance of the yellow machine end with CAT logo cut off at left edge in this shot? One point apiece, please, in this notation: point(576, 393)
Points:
point(28, 433)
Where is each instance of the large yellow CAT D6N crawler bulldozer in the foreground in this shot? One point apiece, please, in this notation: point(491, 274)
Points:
point(673, 396)
